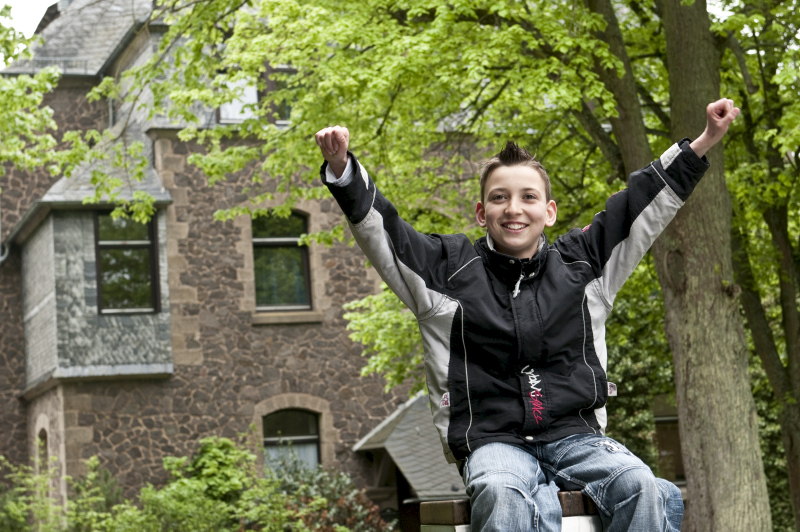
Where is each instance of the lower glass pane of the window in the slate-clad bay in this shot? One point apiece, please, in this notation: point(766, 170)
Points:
point(125, 278)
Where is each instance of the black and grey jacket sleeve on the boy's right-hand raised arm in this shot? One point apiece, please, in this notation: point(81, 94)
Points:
point(618, 237)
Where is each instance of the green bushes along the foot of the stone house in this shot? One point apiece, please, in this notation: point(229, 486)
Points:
point(218, 490)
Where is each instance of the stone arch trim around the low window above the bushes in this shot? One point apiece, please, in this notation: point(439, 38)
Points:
point(328, 435)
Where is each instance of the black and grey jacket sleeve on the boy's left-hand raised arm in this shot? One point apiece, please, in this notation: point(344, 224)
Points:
point(412, 264)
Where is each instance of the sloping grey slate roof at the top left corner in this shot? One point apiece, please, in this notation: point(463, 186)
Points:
point(84, 36)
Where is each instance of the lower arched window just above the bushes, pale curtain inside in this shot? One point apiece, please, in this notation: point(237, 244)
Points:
point(292, 429)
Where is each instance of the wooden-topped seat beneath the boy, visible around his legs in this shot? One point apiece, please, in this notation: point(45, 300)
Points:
point(579, 514)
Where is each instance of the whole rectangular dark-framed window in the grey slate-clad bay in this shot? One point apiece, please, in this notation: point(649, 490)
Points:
point(126, 266)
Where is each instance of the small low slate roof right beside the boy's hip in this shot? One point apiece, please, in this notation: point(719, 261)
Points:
point(411, 439)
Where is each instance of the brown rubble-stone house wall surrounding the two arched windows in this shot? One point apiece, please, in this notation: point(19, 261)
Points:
point(229, 369)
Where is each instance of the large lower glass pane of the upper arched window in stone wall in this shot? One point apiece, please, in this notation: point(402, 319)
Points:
point(280, 276)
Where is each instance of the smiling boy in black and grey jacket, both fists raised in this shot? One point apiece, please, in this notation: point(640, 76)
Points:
point(513, 329)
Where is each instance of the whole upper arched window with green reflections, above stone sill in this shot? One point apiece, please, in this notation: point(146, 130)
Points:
point(281, 264)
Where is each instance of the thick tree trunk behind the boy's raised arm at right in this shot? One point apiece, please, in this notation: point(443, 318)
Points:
point(716, 411)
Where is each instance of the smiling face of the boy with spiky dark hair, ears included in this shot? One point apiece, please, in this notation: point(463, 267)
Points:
point(515, 210)
